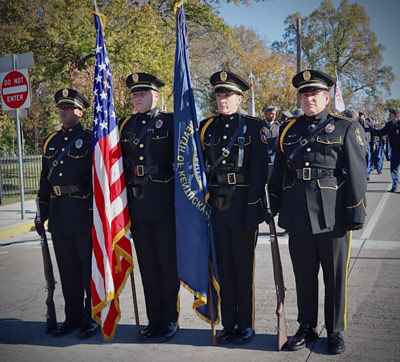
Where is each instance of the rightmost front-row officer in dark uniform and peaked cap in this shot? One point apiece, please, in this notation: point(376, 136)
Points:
point(318, 186)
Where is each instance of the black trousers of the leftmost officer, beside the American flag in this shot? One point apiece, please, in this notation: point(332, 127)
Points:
point(74, 260)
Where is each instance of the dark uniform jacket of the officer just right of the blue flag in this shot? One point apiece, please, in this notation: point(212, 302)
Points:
point(246, 182)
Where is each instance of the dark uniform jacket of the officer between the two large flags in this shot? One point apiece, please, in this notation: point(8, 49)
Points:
point(149, 164)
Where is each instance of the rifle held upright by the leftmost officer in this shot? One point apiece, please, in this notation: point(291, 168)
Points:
point(51, 319)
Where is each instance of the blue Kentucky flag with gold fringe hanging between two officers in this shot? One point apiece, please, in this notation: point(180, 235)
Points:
point(197, 267)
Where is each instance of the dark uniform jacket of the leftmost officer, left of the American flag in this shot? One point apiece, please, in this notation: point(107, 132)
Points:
point(65, 194)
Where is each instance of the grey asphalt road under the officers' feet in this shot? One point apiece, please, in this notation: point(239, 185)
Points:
point(373, 304)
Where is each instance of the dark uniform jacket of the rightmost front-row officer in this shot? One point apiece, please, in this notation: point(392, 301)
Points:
point(323, 189)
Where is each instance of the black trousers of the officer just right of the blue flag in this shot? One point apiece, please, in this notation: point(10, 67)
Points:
point(235, 257)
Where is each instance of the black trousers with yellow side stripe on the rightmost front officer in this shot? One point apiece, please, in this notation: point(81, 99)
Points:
point(332, 252)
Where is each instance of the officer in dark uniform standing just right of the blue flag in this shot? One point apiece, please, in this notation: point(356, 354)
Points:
point(234, 147)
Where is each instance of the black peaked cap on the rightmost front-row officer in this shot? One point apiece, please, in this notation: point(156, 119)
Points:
point(312, 81)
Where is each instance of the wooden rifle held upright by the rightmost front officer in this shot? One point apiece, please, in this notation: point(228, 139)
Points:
point(279, 283)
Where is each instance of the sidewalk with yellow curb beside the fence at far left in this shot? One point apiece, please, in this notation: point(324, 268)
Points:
point(12, 224)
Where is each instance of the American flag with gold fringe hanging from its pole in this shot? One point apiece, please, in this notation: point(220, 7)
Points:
point(112, 252)
